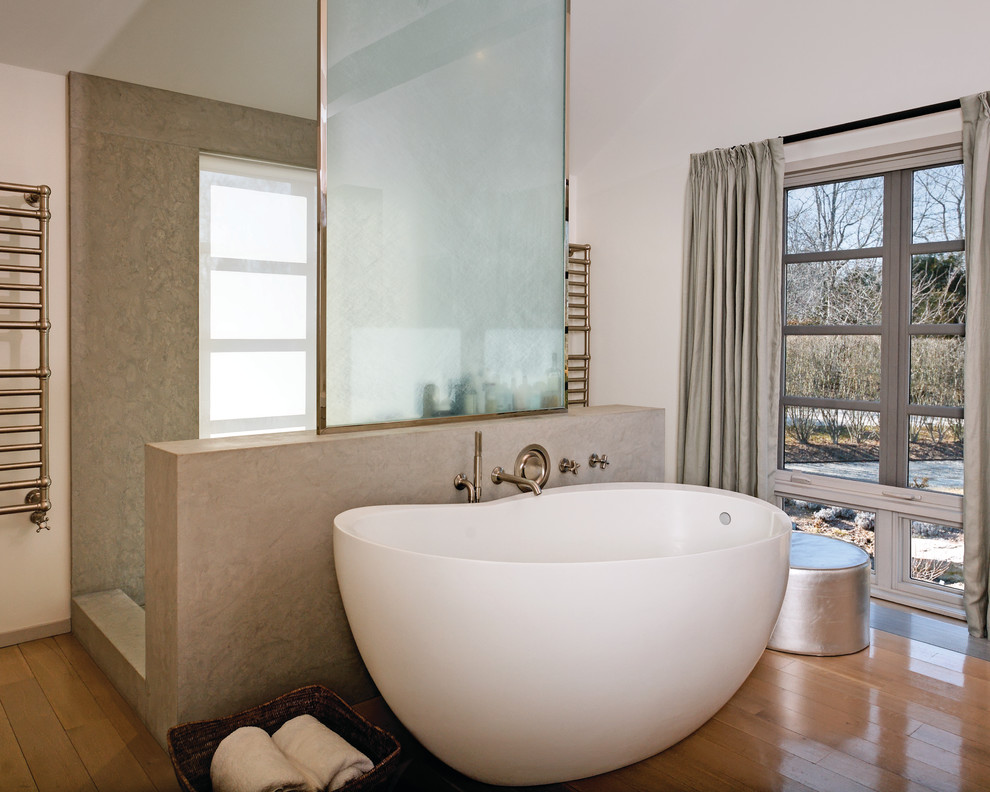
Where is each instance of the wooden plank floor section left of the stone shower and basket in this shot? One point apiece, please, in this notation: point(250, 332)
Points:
point(64, 727)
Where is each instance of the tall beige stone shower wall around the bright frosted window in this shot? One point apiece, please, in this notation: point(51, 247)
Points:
point(134, 302)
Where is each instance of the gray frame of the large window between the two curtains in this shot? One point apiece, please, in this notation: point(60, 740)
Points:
point(895, 506)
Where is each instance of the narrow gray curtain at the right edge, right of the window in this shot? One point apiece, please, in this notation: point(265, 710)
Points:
point(976, 472)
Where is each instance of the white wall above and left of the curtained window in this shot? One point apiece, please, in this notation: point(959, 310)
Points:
point(653, 82)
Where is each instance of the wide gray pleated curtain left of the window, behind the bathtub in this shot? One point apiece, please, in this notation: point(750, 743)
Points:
point(730, 309)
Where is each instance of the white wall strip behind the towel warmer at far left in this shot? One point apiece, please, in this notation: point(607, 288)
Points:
point(34, 567)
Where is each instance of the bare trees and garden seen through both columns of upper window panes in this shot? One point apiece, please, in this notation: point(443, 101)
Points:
point(835, 320)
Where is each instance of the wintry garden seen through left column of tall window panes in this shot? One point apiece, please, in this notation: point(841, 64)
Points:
point(831, 292)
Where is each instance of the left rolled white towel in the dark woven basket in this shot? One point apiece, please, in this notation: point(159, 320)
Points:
point(247, 760)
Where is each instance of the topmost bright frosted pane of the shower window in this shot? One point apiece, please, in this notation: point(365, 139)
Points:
point(257, 225)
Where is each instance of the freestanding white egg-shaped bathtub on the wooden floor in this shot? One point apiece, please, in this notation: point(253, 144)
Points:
point(533, 640)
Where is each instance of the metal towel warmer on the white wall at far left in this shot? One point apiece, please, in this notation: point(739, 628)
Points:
point(24, 391)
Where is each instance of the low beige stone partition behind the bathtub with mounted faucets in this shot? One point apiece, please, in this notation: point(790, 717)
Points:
point(242, 599)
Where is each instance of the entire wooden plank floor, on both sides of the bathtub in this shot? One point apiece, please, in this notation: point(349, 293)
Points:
point(901, 715)
